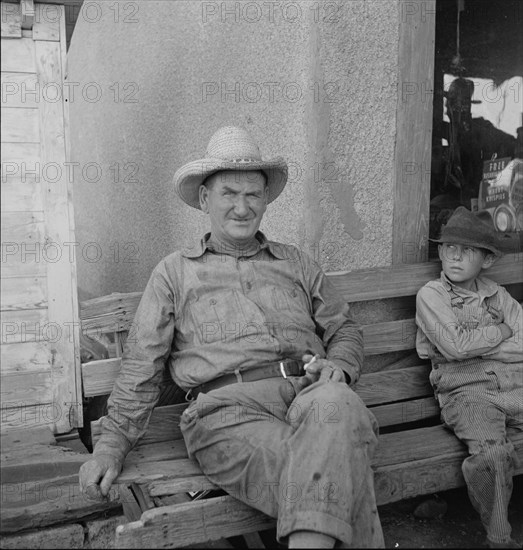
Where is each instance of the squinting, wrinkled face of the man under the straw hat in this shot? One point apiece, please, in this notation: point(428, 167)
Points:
point(235, 201)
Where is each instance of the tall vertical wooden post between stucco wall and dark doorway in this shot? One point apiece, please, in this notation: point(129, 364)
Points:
point(410, 226)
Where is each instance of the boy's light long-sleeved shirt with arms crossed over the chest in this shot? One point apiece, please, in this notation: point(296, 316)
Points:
point(455, 324)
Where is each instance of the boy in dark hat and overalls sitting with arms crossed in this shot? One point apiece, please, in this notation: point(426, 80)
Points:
point(472, 330)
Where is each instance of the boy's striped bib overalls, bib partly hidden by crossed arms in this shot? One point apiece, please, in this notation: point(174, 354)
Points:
point(480, 399)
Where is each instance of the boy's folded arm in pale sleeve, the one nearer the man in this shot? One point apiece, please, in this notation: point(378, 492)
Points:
point(440, 325)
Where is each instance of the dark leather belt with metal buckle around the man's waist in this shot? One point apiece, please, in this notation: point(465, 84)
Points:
point(287, 367)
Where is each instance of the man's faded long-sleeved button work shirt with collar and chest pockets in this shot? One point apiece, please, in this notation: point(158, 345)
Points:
point(207, 312)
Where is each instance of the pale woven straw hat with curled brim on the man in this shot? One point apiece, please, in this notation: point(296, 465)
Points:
point(230, 148)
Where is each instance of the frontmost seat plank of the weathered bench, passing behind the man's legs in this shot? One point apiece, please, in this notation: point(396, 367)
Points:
point(219, 517)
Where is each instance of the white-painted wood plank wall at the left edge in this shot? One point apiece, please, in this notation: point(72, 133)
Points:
point(40, 342)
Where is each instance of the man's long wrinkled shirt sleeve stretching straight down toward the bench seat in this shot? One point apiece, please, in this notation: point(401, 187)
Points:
point(137, 387)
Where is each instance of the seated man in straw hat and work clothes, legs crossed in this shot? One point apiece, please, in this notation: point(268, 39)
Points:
point(235, 318)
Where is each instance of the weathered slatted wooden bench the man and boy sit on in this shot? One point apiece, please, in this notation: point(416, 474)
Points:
point(416, 454)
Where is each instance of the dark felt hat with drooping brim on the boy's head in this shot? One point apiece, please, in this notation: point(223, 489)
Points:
point(468, 228)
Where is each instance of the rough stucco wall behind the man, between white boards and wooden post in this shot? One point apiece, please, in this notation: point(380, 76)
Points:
point(314, 82)
